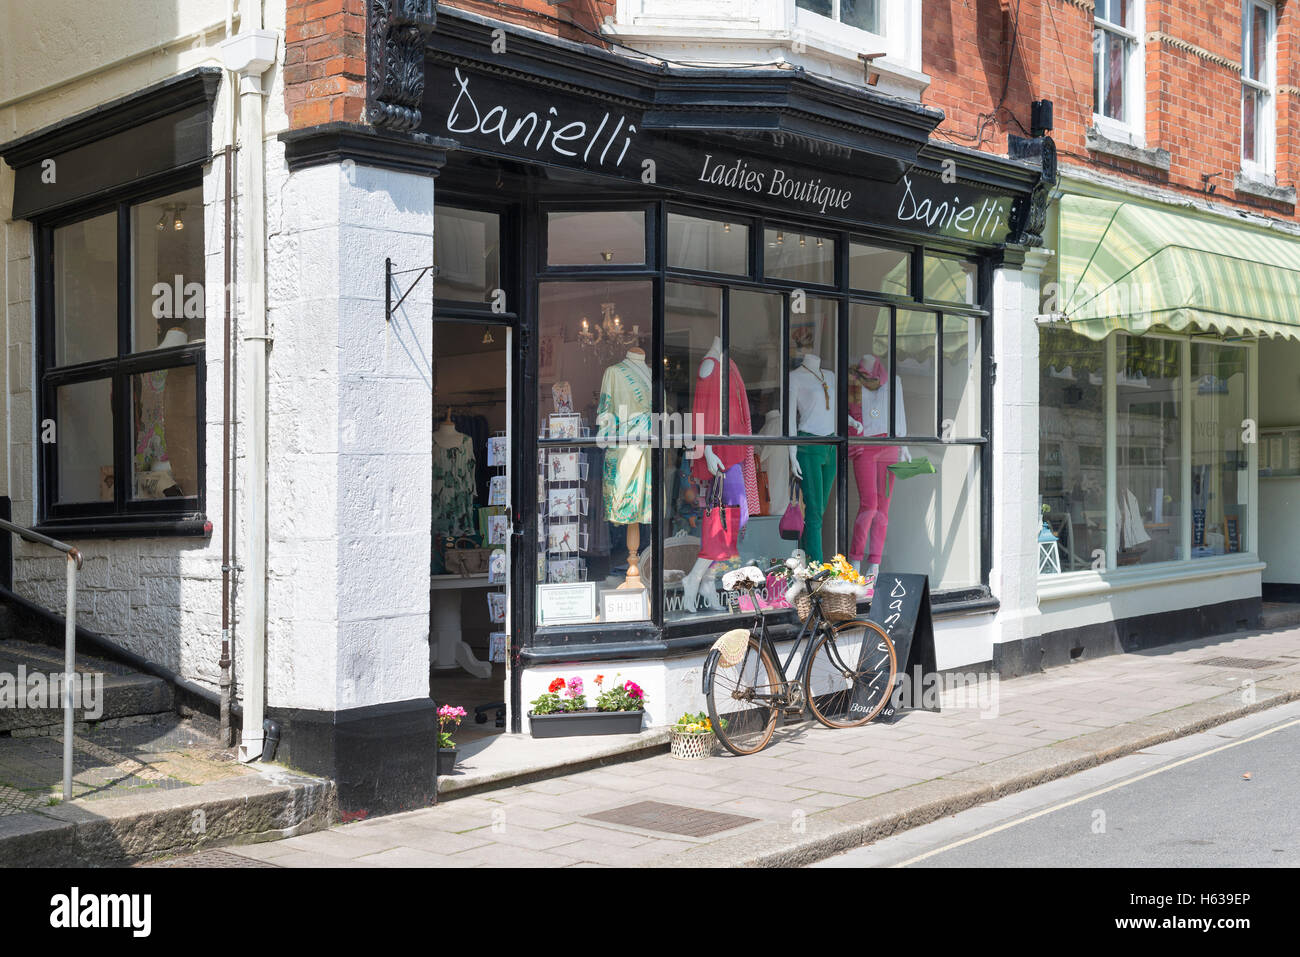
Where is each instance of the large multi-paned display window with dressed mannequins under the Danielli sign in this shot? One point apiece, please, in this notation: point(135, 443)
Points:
point(752, 382)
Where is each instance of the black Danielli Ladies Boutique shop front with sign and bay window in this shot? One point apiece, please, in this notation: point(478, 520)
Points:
point(666, 298)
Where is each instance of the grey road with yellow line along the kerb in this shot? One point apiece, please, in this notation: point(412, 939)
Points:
point(1220, 799)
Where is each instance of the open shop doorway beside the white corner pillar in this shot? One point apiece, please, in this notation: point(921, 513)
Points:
point(470, 569)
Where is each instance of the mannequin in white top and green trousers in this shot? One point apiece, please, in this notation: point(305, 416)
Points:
point(813, 414)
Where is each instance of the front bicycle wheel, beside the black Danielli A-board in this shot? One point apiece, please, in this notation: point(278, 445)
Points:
point(852, 674)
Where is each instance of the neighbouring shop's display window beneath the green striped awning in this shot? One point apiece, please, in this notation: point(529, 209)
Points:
point(1178, 426)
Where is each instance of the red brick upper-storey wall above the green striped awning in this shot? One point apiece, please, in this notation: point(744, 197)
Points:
point(1194, 103)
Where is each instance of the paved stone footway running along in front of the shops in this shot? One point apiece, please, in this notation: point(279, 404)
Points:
point(816, 793)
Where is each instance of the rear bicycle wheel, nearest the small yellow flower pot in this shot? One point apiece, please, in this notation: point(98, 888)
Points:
point(742, 707)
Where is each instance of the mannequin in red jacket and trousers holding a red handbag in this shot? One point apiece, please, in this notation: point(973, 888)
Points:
point(734, 465)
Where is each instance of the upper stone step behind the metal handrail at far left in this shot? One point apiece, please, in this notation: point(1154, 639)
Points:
point(109, 691)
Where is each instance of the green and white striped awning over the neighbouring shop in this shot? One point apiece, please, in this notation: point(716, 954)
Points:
point(1133, 267)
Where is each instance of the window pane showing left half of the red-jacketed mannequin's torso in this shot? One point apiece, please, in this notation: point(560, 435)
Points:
point(692, 350)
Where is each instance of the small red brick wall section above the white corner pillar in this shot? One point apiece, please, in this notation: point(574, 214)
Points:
point(324, 62)
